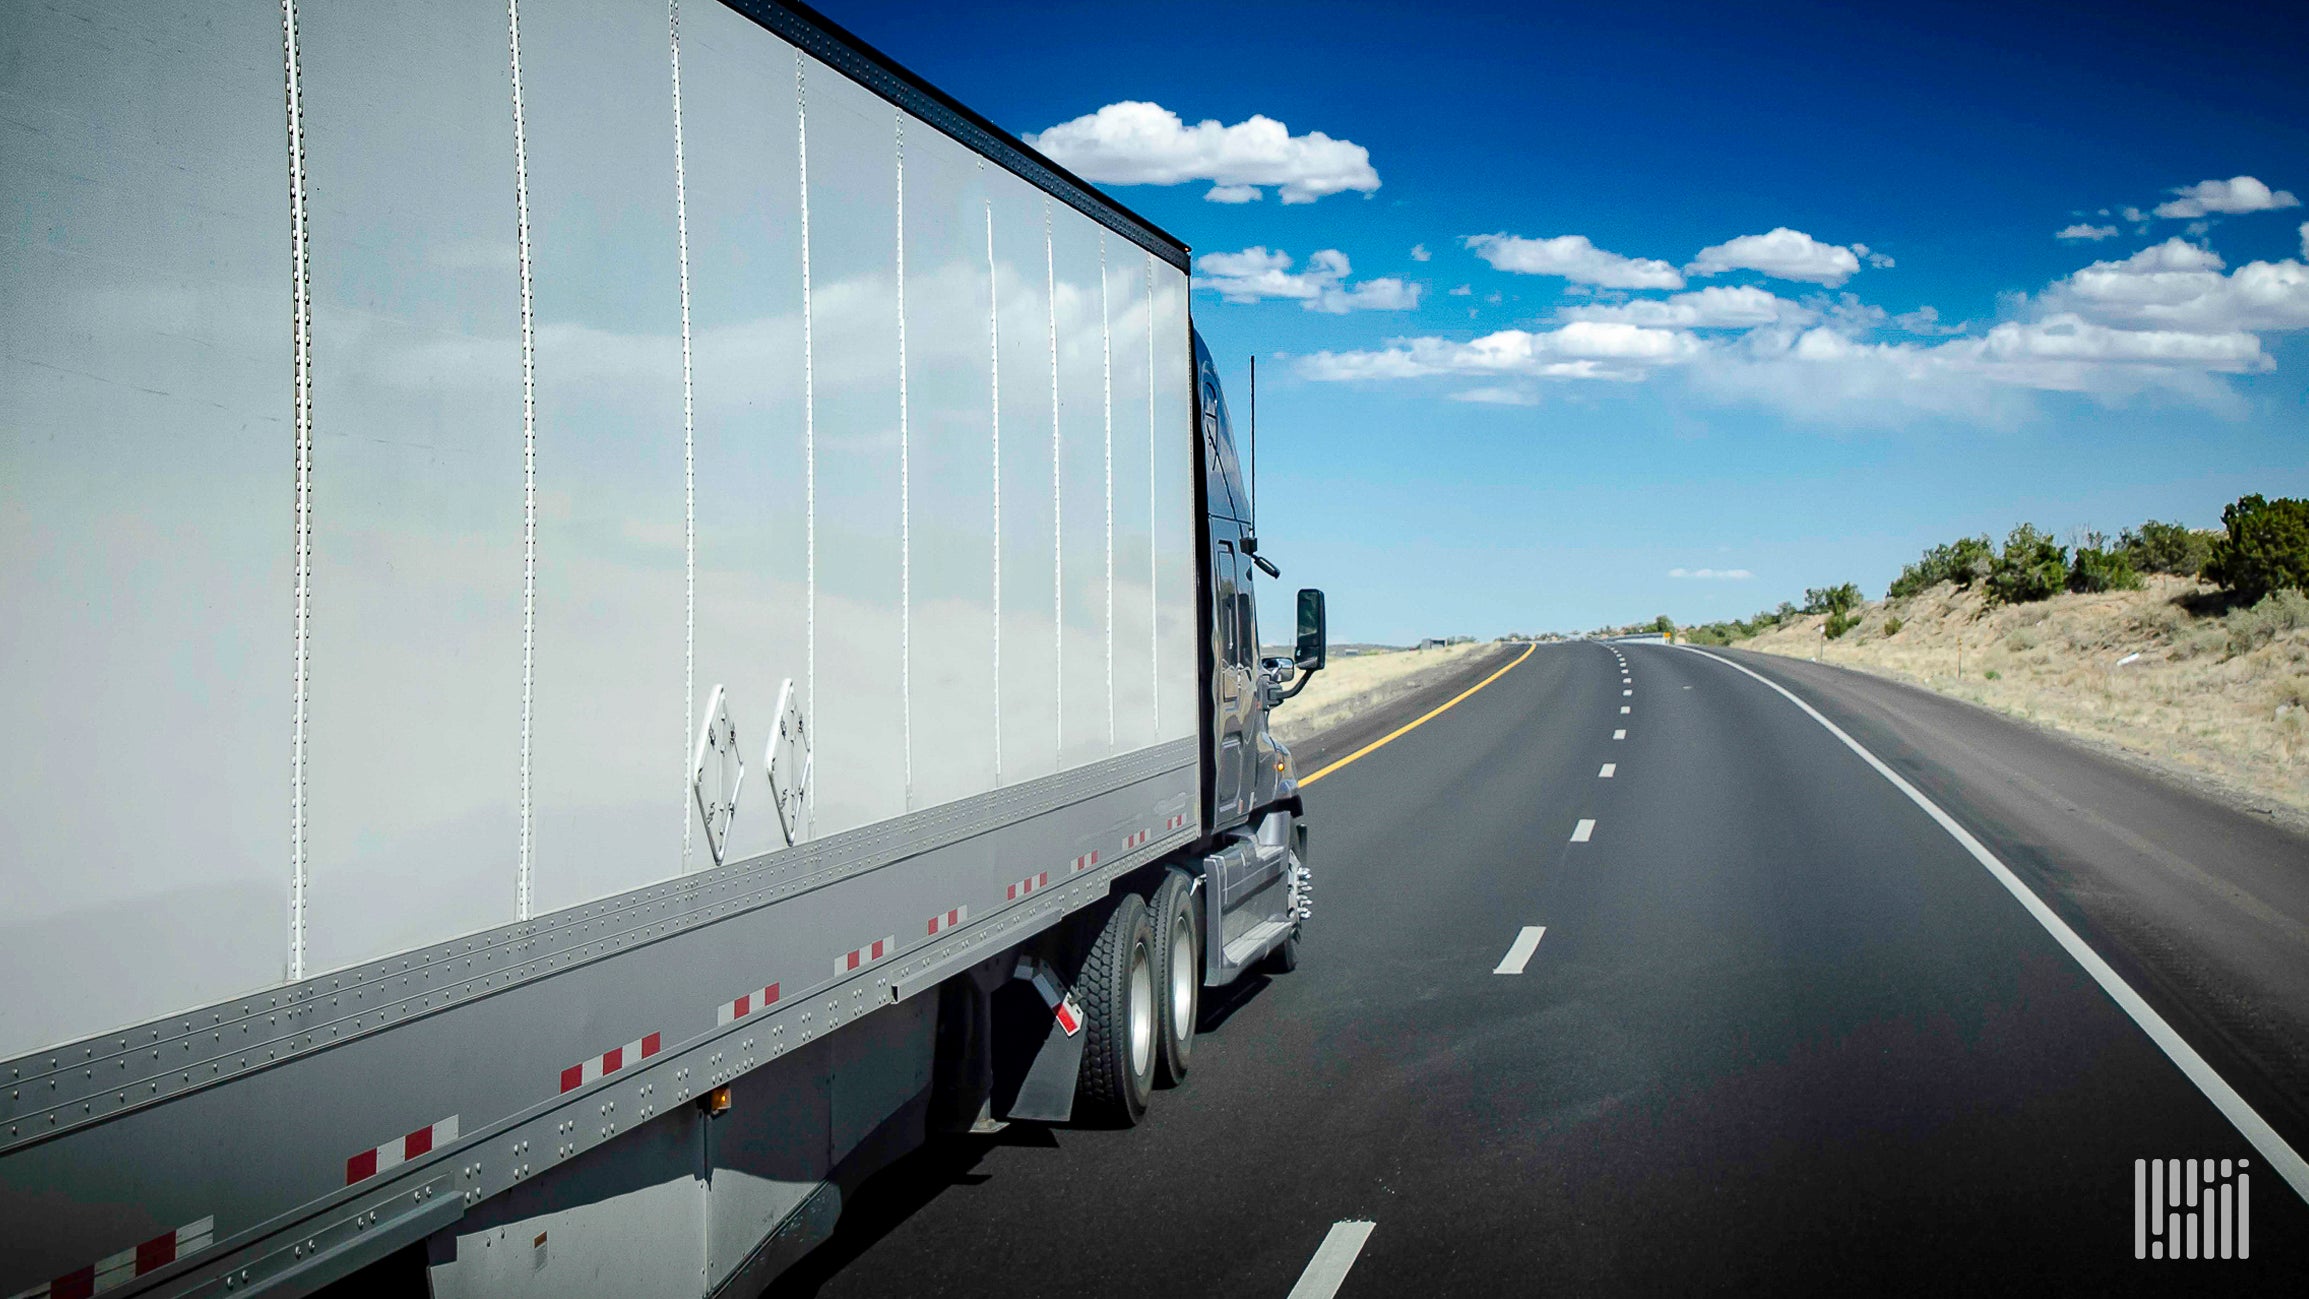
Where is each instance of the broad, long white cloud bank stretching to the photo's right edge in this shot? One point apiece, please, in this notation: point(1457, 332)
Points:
point(2167, 320)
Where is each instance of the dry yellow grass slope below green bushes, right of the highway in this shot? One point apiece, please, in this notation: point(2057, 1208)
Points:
point(2222, 698)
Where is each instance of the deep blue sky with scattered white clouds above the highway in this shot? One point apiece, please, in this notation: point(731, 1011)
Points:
point(1795, 416)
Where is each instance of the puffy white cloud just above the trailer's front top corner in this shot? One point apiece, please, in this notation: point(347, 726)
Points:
point(1146, 144)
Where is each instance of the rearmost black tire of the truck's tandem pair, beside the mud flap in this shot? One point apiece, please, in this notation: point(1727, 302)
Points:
point(1119, 1000)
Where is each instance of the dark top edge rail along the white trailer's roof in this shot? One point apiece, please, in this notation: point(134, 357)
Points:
point(842, 50)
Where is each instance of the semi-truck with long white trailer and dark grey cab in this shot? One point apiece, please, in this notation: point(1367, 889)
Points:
point(613, 615)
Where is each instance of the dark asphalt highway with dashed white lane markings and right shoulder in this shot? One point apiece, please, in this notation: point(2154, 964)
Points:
point(1779, 1030)
